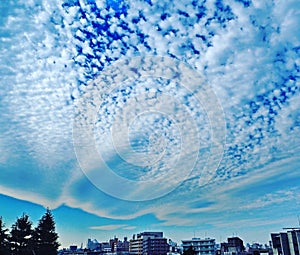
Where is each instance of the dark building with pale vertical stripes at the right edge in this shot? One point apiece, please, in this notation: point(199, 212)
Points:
point(286, 243)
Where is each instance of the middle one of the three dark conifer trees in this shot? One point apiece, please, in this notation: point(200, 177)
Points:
point(21, 236)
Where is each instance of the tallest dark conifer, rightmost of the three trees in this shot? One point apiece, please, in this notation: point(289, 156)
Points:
point(45, 236)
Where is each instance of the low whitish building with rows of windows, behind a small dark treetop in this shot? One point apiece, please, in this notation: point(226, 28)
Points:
point(200, 246)
